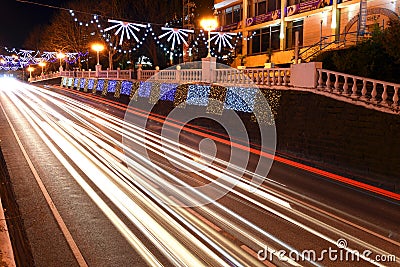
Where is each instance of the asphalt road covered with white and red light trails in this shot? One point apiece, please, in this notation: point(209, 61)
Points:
point(122, 196)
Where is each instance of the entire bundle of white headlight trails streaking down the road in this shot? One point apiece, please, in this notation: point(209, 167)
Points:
point(93, 151)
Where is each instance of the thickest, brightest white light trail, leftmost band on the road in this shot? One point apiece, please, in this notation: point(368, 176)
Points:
point(177, 254)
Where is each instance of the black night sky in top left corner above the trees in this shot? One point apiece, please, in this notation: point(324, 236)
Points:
point(18, 19)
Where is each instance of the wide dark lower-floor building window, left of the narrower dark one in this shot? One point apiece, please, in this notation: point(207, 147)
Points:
point(265, 39)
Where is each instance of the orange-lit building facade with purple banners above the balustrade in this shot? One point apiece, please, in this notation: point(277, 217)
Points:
point(269, 27)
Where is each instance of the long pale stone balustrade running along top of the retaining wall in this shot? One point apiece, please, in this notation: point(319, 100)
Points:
point(370, 93)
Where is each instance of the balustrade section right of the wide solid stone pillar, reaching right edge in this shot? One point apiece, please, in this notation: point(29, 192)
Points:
point(359, 88)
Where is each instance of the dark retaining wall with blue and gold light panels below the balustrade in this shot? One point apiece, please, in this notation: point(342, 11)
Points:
point(346, 139)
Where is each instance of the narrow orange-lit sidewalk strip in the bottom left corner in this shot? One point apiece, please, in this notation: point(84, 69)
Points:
point(6, 252)
